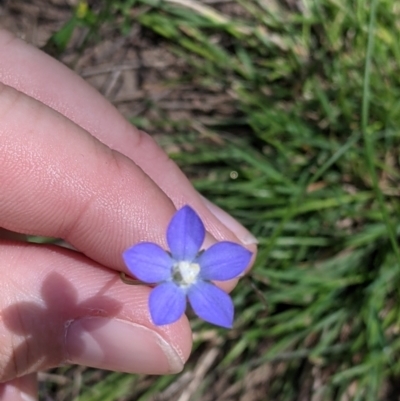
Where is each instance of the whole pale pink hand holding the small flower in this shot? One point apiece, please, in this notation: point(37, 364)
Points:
point(71, 167)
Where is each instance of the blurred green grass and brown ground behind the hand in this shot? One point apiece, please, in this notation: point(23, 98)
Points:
point(287, 115)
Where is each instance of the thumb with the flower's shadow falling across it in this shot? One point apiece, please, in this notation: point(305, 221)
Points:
point(67, 309)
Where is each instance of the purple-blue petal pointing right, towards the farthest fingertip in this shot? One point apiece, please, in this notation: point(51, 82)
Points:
point(223, 261)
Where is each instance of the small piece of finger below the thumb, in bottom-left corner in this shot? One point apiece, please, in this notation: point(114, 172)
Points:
point(20, 389)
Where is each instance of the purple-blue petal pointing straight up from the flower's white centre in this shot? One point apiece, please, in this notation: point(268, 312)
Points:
point(185, 234)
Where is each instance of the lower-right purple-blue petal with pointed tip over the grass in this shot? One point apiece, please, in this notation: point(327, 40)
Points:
point(211, 304)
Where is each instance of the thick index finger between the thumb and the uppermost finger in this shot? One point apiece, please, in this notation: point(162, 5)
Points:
point(59, 181)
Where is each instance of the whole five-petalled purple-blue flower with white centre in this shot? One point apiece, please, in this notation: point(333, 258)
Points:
point(186, 272)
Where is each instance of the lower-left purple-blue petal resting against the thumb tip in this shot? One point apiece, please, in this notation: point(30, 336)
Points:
point(167, 303)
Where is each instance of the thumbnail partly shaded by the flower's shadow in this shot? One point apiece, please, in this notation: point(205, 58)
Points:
point(120, 346)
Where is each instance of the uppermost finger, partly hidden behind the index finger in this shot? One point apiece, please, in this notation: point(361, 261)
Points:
point(43, 78)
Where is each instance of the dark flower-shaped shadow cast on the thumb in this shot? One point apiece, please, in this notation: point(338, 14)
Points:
point(61, 306)
